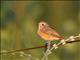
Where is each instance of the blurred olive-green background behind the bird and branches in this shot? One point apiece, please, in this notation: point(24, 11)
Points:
point(19, 22)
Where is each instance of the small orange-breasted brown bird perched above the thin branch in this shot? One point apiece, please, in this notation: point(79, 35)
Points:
point(47, 33)
